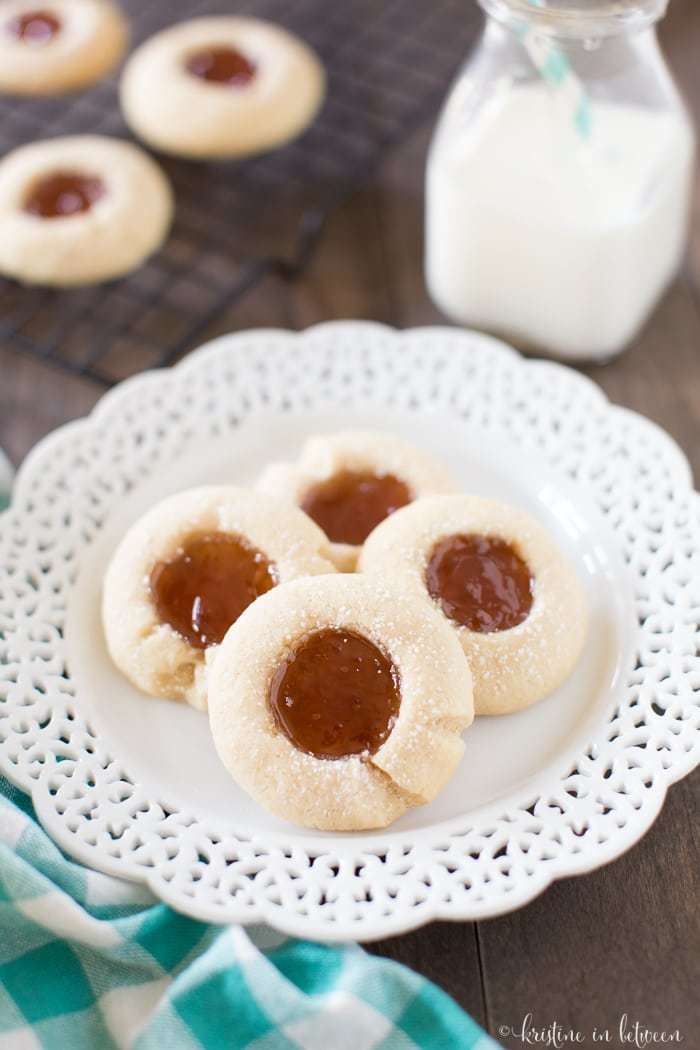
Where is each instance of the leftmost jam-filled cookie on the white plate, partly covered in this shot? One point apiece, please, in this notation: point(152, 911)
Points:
point(184, 573)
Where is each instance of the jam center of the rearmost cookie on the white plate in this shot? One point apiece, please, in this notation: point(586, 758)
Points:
point(351, 505)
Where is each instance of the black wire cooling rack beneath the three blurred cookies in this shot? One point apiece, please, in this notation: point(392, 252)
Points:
point(389, 65)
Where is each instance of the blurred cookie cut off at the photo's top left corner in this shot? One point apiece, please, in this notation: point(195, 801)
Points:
point(58, 46)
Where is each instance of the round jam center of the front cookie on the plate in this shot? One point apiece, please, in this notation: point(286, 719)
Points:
point(336, 696)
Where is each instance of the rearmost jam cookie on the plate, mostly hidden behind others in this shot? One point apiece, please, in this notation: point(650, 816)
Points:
point(350, 481)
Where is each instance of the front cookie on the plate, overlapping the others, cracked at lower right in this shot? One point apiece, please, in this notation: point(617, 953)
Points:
point(338, 703)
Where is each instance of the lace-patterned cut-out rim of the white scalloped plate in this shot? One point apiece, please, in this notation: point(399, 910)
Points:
point(84, 795)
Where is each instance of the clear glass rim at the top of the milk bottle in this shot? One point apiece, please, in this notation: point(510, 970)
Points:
point(580, 18)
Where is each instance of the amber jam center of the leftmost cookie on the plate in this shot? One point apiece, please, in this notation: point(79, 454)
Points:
point(208, 585)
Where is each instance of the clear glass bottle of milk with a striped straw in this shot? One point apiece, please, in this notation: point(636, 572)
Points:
point(559, 179)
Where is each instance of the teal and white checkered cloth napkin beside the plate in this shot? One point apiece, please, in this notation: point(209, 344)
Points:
point(90, 962)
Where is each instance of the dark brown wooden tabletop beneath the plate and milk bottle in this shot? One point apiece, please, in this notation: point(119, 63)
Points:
point(625, 939)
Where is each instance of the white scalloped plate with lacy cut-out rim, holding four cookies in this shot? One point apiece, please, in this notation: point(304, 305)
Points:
point(134, 787)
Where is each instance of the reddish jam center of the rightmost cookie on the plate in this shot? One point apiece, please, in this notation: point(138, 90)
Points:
point(480, 582)
